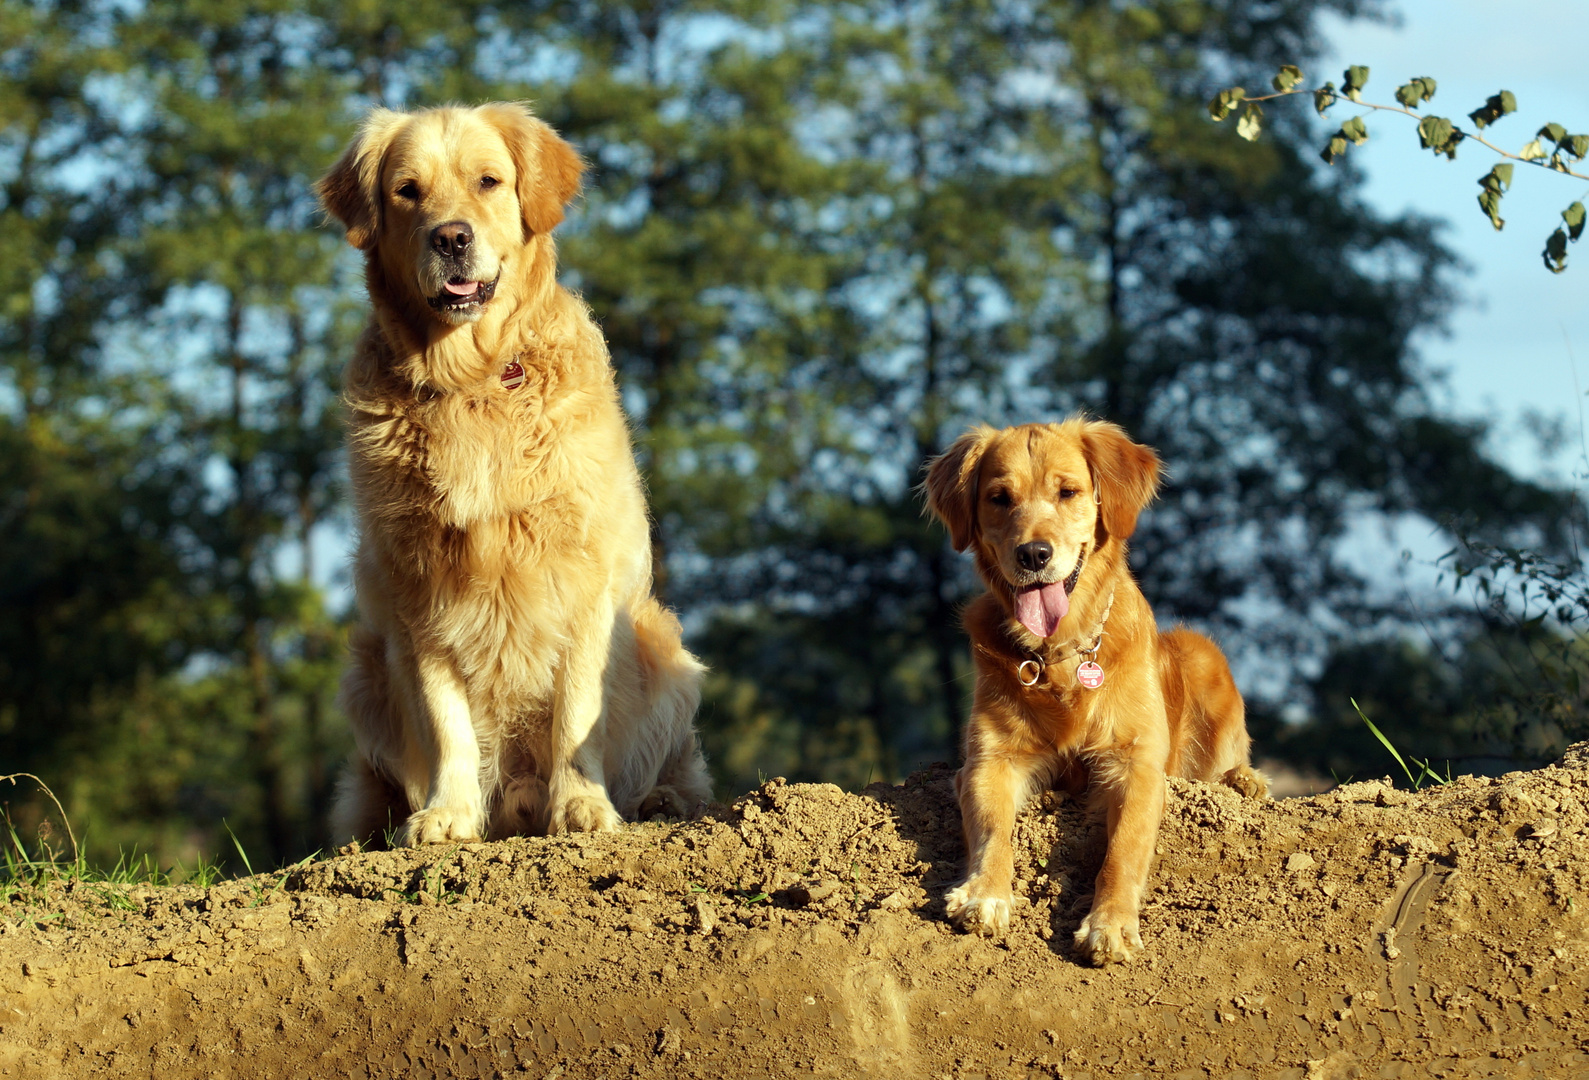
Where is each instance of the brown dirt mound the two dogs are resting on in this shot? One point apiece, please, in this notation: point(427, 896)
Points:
point(1361, 933)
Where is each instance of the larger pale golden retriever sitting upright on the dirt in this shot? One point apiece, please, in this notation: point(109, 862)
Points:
point(511, 671)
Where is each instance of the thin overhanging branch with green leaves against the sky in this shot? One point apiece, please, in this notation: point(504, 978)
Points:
point(1436, 134)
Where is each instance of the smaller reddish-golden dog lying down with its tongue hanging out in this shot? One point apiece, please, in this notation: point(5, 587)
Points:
point(1075, 682)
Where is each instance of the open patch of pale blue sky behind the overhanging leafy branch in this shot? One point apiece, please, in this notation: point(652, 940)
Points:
point(1520, 328)
